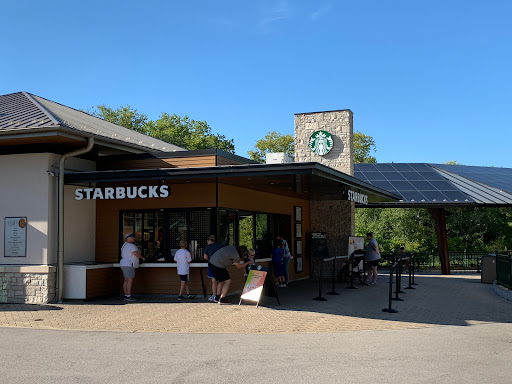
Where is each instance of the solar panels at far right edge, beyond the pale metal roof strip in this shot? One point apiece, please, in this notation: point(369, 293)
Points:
point(500, 178)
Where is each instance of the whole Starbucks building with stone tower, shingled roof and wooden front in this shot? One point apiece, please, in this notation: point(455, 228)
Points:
point(77, 184)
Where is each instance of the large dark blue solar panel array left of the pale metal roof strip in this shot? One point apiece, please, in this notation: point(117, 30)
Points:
point(418, 183)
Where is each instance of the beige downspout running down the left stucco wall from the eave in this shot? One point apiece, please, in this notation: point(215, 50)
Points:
point(60, 197)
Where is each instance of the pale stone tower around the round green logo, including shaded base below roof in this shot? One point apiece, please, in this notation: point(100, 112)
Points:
point(335, 217)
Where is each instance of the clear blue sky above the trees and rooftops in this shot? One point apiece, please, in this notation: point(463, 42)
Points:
point(431, 81)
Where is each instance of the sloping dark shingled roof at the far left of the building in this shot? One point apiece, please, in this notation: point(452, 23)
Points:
point(24, 111)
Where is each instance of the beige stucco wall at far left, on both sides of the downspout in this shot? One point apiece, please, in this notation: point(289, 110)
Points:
point(29, 190)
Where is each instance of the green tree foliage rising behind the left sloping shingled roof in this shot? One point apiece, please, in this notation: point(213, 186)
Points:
point(181, 131)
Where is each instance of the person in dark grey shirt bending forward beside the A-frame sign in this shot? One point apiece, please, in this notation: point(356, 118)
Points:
point(218, 263)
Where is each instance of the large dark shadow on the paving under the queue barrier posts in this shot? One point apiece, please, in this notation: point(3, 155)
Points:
point(444, 300)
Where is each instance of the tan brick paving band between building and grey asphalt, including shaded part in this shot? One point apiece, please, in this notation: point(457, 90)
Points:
point(458, 299)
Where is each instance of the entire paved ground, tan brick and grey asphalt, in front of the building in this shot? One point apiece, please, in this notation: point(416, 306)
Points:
point(449, 329)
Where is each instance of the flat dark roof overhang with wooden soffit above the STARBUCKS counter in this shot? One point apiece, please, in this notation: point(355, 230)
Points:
point(303, 180)
